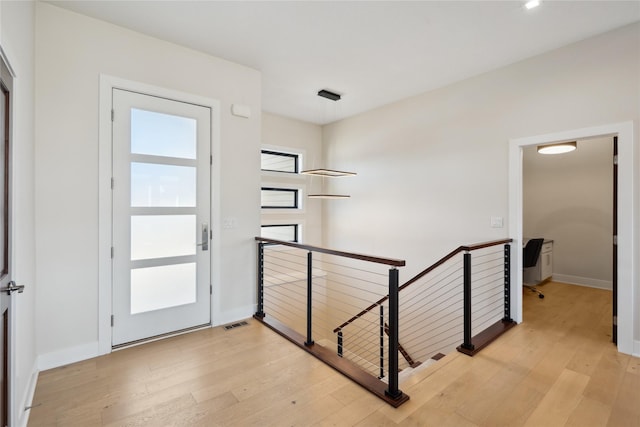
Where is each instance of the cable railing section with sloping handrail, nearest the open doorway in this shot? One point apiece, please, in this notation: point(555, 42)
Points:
point(458, 298)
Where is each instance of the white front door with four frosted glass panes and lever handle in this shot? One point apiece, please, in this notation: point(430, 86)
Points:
point(161, 216)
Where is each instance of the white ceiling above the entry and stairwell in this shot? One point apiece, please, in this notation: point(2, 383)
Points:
point(371, 52)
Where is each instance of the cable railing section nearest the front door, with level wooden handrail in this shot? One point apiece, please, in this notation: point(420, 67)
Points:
point(303, 289)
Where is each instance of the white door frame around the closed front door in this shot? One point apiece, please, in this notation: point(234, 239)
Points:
point(107, 84)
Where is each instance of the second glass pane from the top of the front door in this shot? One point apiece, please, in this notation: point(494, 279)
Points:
point(162, 185)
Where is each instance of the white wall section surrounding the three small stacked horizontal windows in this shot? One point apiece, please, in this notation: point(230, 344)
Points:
point(280, 132)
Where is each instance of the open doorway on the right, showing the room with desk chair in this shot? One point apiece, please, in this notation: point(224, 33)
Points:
point(568, 200)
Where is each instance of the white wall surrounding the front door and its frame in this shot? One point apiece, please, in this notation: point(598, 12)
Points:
point(72, 51)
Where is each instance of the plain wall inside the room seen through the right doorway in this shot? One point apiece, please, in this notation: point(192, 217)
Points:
point(568, 198)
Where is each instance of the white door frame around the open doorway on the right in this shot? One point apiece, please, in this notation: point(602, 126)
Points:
point(627, 221)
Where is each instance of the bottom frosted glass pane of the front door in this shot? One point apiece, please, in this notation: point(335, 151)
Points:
point(155, 288)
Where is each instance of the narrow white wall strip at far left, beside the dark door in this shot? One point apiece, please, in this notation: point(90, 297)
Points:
point(17, 40)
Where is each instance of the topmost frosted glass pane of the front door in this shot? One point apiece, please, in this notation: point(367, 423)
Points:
point(161, 134)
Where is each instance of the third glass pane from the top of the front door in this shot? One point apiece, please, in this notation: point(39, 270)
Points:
point(159, 236)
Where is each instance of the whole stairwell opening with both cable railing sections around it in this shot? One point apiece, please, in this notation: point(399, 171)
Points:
point(350, 311)
